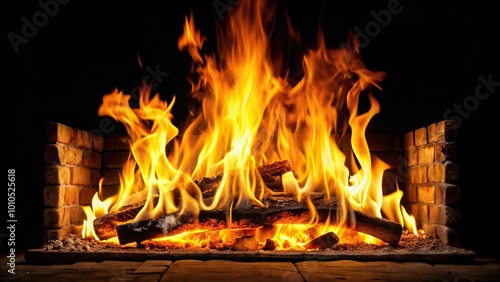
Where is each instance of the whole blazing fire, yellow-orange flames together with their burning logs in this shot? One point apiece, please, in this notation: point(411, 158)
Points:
point(259, 163)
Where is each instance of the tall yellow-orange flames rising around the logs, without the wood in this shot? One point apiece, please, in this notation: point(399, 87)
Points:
point(249, 115)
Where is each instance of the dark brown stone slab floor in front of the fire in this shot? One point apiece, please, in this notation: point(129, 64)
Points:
point(479, 269)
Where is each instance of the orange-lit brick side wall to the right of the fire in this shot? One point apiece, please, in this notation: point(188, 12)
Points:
point(432, 194)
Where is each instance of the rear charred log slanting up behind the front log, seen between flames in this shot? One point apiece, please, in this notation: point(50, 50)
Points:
point(105, 226)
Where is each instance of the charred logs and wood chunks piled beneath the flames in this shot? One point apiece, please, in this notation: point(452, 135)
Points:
point(280, 208)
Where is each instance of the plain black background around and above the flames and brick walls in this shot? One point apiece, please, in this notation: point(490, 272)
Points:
point(433, 55)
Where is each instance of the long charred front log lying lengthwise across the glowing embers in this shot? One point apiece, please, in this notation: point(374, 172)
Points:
point(277, 211)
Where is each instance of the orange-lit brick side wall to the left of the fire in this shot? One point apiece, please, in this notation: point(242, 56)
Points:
point(72, 173)
